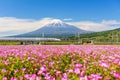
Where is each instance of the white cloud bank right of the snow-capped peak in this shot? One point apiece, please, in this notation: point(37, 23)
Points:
point(95, 26)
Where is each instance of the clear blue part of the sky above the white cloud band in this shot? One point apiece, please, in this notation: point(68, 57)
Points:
point(78, 10)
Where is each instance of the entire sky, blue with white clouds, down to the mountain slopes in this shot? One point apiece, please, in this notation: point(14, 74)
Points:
point(21, 16)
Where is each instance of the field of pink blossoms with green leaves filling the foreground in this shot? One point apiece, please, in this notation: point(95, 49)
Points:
point(55, 62)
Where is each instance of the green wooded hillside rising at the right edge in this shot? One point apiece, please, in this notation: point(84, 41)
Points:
point(108, 36)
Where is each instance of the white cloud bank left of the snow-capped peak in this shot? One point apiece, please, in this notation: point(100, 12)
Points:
point(13, 26)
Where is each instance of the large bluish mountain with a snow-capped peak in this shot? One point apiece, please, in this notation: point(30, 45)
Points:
point(56, 28)
